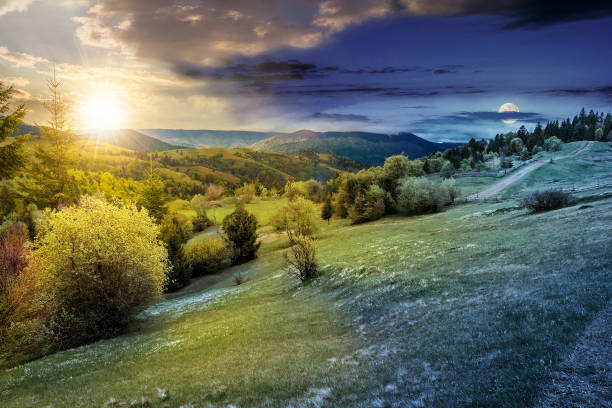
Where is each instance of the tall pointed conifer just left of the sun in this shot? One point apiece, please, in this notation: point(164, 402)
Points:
point(50, 173)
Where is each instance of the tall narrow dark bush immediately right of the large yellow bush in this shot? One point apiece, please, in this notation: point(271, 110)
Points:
point(175, 230)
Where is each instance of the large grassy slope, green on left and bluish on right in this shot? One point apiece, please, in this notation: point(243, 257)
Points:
point(480, 305)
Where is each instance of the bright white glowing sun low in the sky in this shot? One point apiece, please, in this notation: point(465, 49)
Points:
point(103, 109)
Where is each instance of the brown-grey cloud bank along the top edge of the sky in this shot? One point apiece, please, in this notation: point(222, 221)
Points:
point(212, 32)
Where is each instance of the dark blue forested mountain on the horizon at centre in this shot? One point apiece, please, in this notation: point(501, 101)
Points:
point(369, 148)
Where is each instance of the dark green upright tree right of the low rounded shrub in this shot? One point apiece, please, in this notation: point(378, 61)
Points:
point(240, 229)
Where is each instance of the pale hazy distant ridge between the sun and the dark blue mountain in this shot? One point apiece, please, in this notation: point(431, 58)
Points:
point(205, 138)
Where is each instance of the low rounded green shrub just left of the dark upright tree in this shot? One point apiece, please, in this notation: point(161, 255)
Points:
point(207, 255)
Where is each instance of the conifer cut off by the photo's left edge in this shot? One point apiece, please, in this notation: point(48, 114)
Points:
point(11, 154)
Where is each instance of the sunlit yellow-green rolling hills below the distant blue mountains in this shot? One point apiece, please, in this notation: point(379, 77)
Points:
point(188, 171)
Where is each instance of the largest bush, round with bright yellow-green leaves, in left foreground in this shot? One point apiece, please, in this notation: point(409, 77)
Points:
point(98, 262)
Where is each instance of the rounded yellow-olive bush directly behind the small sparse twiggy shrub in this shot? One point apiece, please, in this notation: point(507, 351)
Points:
point(298, 217)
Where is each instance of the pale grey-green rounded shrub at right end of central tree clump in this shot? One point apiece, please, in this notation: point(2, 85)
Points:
point(419, 196)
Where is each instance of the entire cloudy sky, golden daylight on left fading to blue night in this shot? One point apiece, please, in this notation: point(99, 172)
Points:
point(436, 68)
